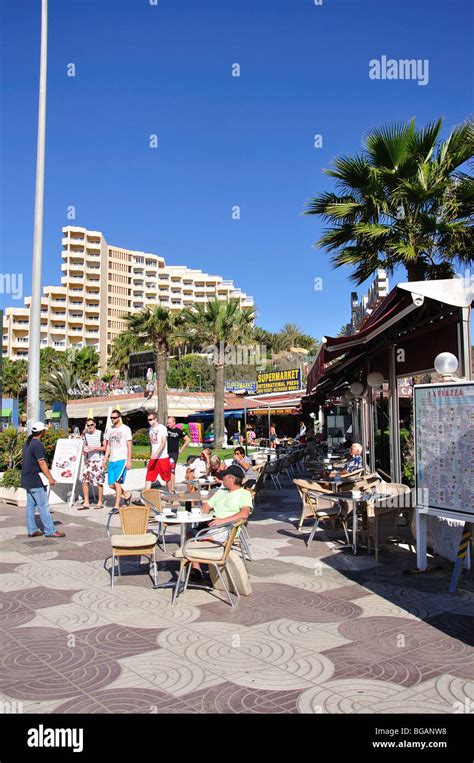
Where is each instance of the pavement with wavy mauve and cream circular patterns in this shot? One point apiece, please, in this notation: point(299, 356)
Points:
point(322, 632)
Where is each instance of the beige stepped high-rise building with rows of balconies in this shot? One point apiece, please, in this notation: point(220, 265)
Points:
point(101, 283)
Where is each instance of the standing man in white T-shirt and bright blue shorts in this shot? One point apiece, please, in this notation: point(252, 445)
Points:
point(119, 450)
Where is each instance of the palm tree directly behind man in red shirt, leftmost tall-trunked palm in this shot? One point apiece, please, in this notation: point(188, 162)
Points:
point(162, 329)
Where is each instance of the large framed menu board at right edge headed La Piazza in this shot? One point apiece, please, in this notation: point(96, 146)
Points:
point(444, 446)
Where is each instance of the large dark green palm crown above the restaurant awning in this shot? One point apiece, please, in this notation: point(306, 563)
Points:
point(403, 201)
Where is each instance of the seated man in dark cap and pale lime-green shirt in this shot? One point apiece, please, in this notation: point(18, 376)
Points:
point(230, 504)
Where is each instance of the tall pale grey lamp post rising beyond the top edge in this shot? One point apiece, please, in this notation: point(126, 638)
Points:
point(33, 408)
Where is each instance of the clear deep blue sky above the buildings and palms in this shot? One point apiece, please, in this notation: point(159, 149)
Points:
point(223, 140)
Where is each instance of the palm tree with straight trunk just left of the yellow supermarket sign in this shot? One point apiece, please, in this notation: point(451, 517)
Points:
point(219, 325)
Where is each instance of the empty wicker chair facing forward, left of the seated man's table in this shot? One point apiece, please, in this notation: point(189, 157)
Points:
point(135, 540)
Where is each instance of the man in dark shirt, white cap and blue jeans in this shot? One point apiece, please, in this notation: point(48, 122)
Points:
point(34, 464)
